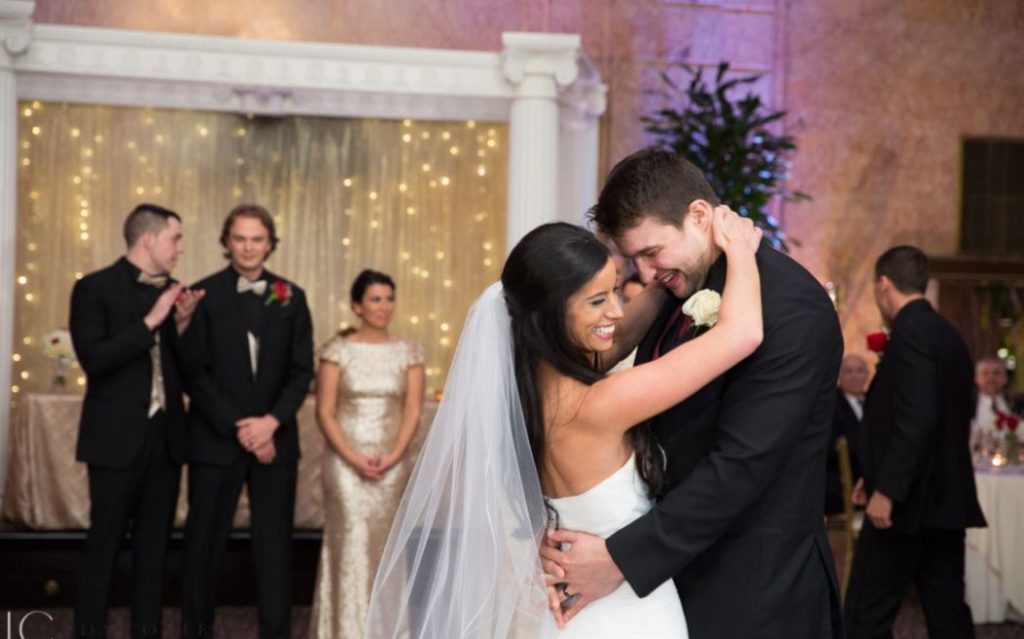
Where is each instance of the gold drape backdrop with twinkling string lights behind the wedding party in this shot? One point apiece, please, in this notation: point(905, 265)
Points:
point(422, 201)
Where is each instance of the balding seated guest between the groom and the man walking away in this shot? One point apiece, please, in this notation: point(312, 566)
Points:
point(846, 422)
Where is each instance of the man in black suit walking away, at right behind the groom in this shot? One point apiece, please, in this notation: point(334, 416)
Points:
point(919, 483)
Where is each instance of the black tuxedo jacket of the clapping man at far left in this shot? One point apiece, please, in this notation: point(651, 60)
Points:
point(113, 347)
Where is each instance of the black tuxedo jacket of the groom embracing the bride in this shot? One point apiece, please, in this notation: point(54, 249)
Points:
point(742, 527)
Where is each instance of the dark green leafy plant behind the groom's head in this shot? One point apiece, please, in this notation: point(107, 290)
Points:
point(732, 141)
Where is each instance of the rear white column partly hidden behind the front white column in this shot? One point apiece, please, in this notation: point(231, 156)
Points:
point(579, 145)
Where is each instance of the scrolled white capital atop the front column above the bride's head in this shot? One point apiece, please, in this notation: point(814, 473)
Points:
point(546, 56)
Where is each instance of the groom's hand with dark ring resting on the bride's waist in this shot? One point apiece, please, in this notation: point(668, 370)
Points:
point(586, 569)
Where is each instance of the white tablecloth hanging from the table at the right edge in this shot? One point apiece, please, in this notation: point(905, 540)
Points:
point(995, 571)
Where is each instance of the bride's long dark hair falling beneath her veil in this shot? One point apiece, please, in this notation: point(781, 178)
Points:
point(542, 273)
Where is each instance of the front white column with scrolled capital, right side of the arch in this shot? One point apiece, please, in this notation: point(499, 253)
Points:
point(537, 65)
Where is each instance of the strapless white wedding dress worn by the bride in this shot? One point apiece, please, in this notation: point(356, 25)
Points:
point(611, 505)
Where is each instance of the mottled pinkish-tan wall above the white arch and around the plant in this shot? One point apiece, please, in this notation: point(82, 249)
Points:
point(880, 92)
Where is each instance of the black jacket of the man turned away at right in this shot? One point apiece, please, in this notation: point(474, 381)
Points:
point(918, 422)
